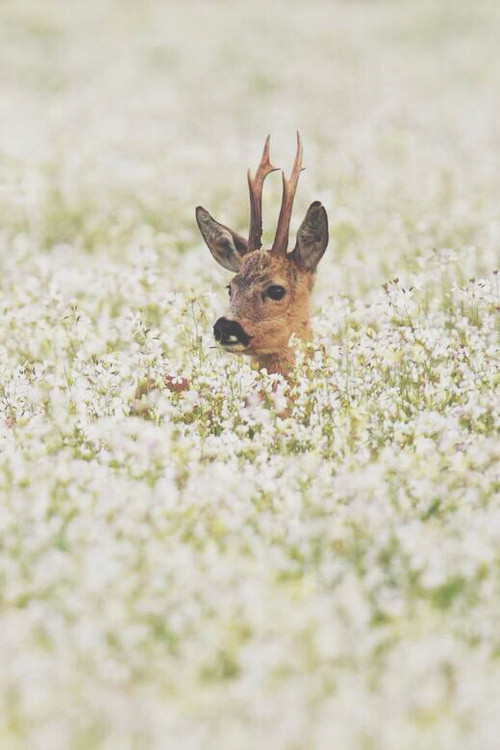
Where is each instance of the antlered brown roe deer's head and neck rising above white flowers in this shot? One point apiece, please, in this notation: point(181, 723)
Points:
point(269, 296)
